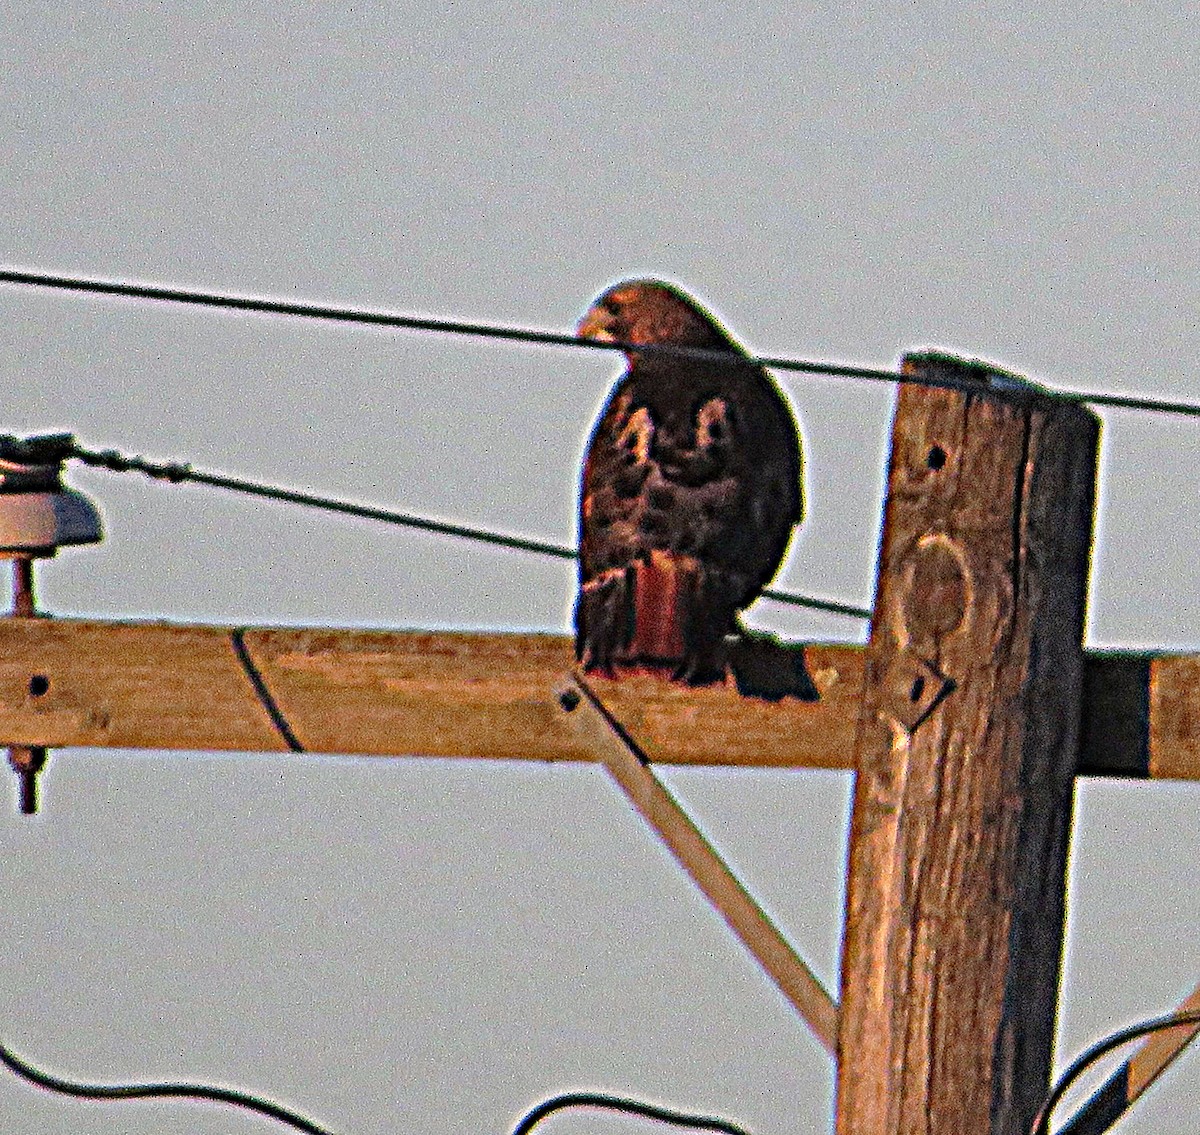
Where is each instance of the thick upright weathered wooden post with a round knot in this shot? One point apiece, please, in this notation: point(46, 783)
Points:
point(968, 746)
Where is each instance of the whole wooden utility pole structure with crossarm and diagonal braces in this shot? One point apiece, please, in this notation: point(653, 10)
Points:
point(968, 718)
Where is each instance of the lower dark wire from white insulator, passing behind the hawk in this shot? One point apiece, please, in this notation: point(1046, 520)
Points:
point(176, 473)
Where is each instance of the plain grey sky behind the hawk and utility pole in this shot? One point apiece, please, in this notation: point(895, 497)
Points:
point(434, 947)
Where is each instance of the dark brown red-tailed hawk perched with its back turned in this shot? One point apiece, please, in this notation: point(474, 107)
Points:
point(692, 489)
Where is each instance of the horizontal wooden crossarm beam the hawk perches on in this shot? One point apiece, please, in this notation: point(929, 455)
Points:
point(159, 686)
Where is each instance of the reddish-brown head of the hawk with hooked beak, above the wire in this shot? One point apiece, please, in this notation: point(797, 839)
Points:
point(650, 311)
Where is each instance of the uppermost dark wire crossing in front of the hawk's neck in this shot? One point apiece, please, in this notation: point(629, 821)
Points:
point(550, 339)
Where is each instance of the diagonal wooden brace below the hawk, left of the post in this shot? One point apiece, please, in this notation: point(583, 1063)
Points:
point(628, 766)
